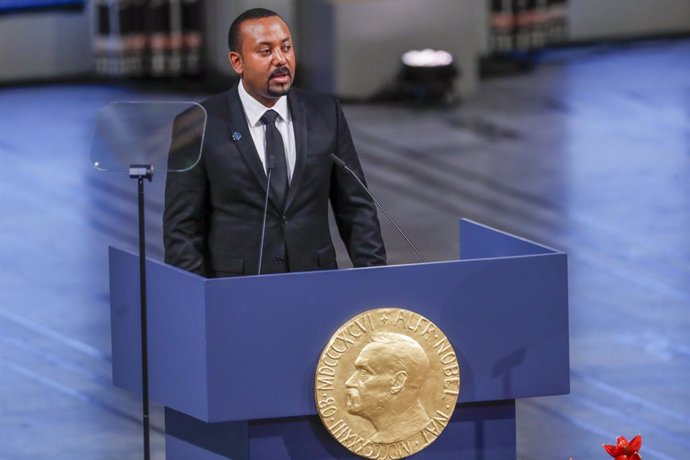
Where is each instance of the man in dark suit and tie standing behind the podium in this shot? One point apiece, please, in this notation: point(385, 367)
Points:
point(214, 212)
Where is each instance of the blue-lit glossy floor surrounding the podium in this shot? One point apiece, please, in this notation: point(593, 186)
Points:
point(589, 154)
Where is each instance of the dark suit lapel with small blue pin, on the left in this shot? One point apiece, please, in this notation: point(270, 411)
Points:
point(242, 138)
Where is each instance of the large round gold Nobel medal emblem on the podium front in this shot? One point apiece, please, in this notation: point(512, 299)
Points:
point(387, 383)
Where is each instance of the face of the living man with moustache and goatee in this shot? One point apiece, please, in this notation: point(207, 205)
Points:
point(266, 61)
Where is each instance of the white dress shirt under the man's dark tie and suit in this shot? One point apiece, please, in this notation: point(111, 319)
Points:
point(254, 110)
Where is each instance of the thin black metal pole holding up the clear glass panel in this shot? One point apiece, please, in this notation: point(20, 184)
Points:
point(141, 172)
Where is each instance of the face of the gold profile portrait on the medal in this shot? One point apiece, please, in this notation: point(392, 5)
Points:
point(369, 387)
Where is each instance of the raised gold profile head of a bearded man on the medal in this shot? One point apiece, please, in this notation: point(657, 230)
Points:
point(386, 384)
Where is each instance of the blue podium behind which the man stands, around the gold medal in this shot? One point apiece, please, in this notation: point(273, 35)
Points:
point(233, 359)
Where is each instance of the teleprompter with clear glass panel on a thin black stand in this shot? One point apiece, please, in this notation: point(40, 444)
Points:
point(135, 137)
